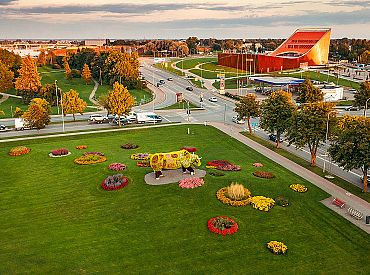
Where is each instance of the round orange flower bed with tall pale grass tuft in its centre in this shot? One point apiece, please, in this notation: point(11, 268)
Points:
point(234, 195)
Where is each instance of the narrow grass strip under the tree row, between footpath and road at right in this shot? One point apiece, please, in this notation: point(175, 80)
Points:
point(317, 170)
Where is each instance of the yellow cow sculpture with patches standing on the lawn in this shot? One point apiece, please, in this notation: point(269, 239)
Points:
point(174, 160)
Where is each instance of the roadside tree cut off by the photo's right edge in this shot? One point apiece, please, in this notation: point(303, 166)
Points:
point(350, 148)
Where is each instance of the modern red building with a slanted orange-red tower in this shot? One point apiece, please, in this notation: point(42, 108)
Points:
point(305, 47)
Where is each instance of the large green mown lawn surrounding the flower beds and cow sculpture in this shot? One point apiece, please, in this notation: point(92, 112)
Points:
point(56, 219)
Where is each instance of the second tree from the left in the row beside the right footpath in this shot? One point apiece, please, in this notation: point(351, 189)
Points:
point(277, 110)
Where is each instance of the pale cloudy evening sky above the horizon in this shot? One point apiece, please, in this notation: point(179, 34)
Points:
point(169, 19)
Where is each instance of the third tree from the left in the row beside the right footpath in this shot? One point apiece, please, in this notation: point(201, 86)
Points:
point(308, 126)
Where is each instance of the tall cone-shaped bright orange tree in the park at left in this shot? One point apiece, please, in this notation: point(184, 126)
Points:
point(28, 82)
